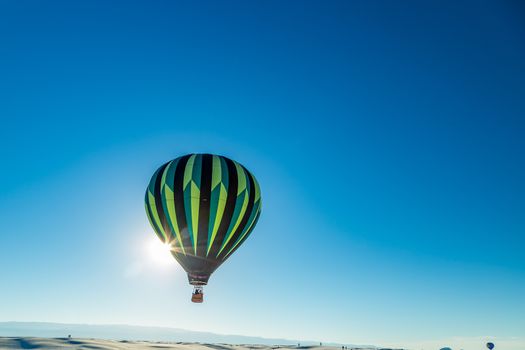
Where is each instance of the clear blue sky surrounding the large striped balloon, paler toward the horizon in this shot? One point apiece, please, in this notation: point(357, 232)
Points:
point(387, 137)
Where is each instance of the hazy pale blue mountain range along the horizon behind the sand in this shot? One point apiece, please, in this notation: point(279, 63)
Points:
point(120, 332)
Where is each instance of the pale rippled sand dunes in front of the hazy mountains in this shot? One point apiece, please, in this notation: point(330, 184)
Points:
point(73, 343)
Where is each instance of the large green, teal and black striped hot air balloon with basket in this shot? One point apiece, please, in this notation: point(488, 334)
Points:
point(204, 207)
